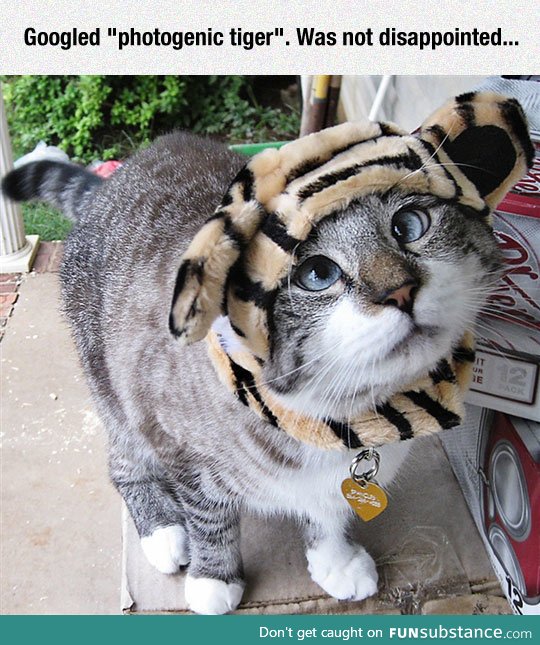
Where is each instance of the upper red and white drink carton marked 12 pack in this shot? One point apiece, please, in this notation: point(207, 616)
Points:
point(507, 369)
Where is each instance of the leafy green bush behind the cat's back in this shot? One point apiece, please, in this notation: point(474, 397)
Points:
point(108, 117)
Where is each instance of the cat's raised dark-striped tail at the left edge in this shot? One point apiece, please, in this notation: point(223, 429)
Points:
point(62, 185)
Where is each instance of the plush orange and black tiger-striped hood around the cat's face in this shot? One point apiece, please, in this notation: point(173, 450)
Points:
point(470, 152)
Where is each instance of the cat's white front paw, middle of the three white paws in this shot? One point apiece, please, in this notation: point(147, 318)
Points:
point(209, 596)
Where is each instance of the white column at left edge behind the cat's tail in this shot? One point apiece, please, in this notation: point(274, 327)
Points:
point(17, 251)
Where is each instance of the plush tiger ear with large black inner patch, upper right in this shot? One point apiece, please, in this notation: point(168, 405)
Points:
point(482, 139)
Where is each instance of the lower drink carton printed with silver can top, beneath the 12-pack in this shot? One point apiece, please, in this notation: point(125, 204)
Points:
point(496, 459)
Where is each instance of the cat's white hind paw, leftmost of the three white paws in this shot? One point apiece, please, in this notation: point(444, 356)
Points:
point(167, 548)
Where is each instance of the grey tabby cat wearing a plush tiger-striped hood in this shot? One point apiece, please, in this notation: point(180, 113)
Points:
point(338, 275)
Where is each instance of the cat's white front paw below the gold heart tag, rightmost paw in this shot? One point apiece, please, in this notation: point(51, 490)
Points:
point(346, 574)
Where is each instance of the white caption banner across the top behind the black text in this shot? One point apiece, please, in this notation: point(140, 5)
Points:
point(519, 21)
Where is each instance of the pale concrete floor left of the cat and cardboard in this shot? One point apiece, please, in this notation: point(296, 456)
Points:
point(60, 543)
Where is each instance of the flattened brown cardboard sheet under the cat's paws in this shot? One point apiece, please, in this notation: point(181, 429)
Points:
point(425, 545)
